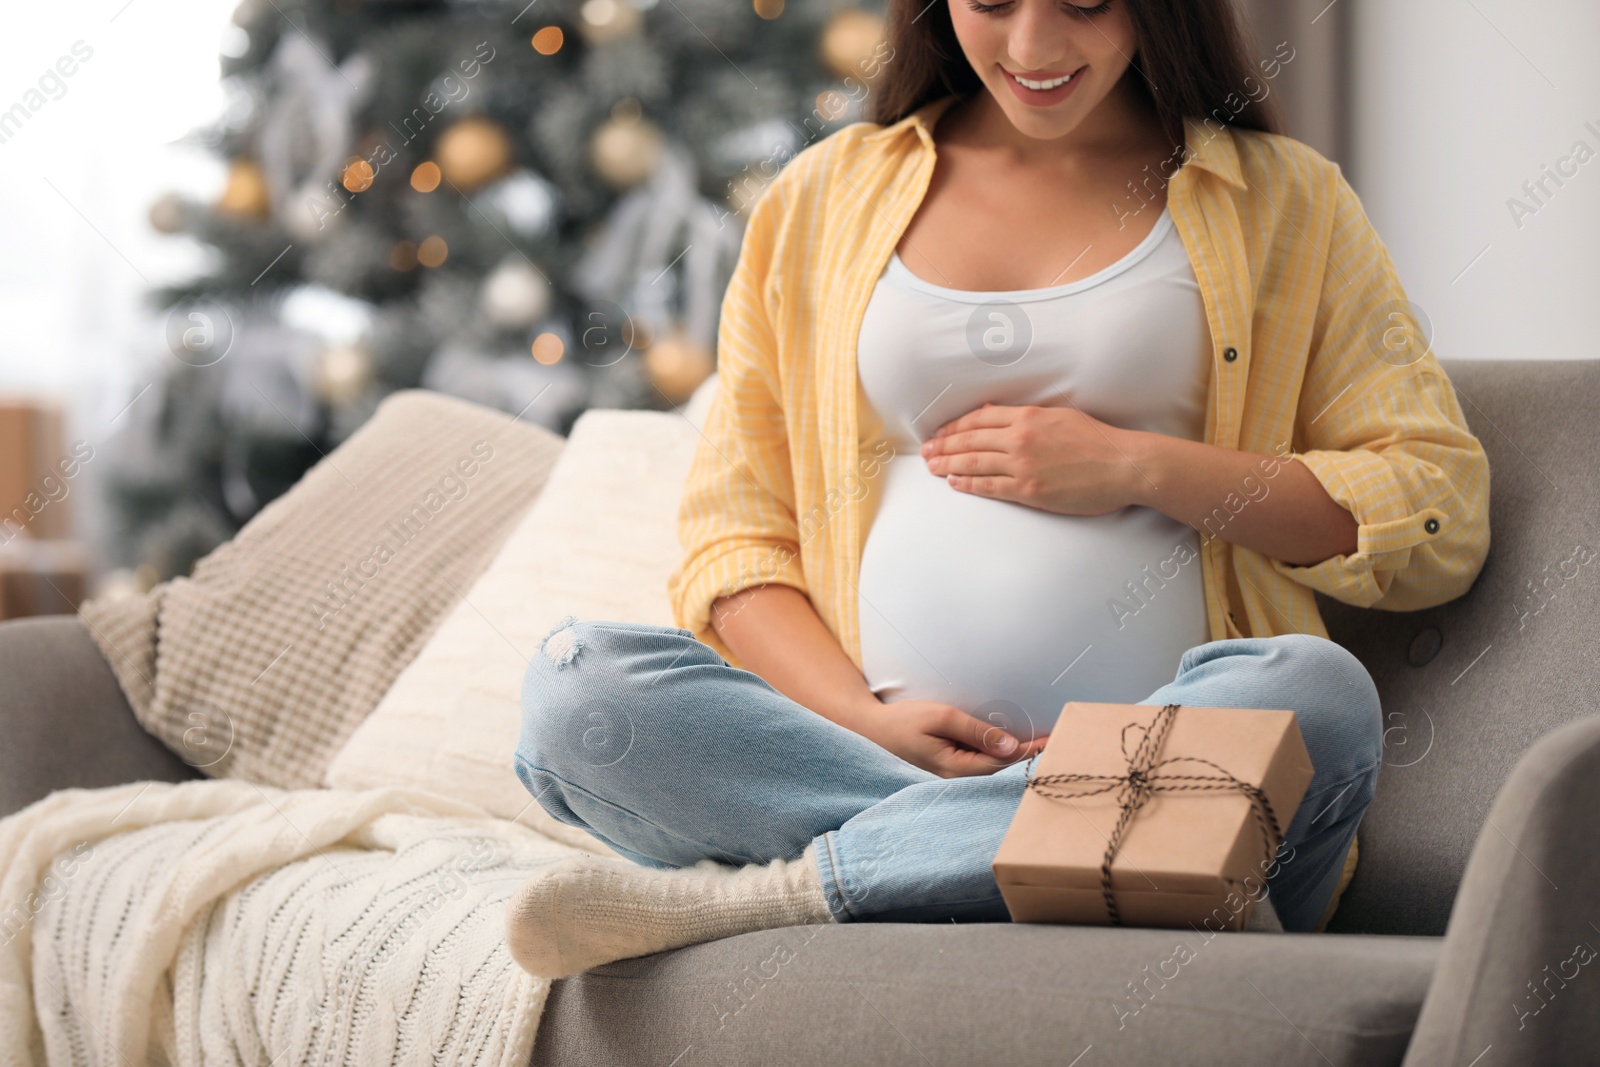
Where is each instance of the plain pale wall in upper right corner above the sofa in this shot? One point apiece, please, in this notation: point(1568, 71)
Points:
point(1454, 106)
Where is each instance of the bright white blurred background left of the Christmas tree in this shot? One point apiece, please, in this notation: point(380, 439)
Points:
point(78, 182)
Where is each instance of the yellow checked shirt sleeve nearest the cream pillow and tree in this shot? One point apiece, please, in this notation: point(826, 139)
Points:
point(737, 518)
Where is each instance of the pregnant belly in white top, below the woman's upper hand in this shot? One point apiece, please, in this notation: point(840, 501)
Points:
point(1009, 612)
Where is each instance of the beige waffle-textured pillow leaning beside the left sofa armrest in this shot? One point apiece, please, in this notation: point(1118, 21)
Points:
point(263, 663)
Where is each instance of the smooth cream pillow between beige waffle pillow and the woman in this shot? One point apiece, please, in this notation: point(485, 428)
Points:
point(599, 545)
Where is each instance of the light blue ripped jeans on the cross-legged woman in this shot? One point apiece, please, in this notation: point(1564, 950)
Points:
point(654, 743)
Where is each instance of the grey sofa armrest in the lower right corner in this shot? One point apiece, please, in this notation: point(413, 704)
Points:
point(1519, 970)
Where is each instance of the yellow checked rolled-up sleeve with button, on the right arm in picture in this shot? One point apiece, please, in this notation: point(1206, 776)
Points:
point(1386, 438)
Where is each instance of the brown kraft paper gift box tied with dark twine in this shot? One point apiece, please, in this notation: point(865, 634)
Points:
point(1201, 794)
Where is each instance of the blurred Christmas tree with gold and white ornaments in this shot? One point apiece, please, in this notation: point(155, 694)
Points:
point(530, 206)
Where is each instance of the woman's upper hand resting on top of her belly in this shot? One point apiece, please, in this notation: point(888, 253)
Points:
point(1057, 460)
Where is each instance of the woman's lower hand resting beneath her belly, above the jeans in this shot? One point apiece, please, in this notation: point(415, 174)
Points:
point(942, 738)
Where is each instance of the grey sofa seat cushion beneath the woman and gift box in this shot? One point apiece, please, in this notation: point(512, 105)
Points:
point(996, 994)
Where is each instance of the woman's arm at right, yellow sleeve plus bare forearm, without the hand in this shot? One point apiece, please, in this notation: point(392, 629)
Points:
point(1388, 506)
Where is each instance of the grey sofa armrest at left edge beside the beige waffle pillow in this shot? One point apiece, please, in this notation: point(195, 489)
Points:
point(65, 721)
